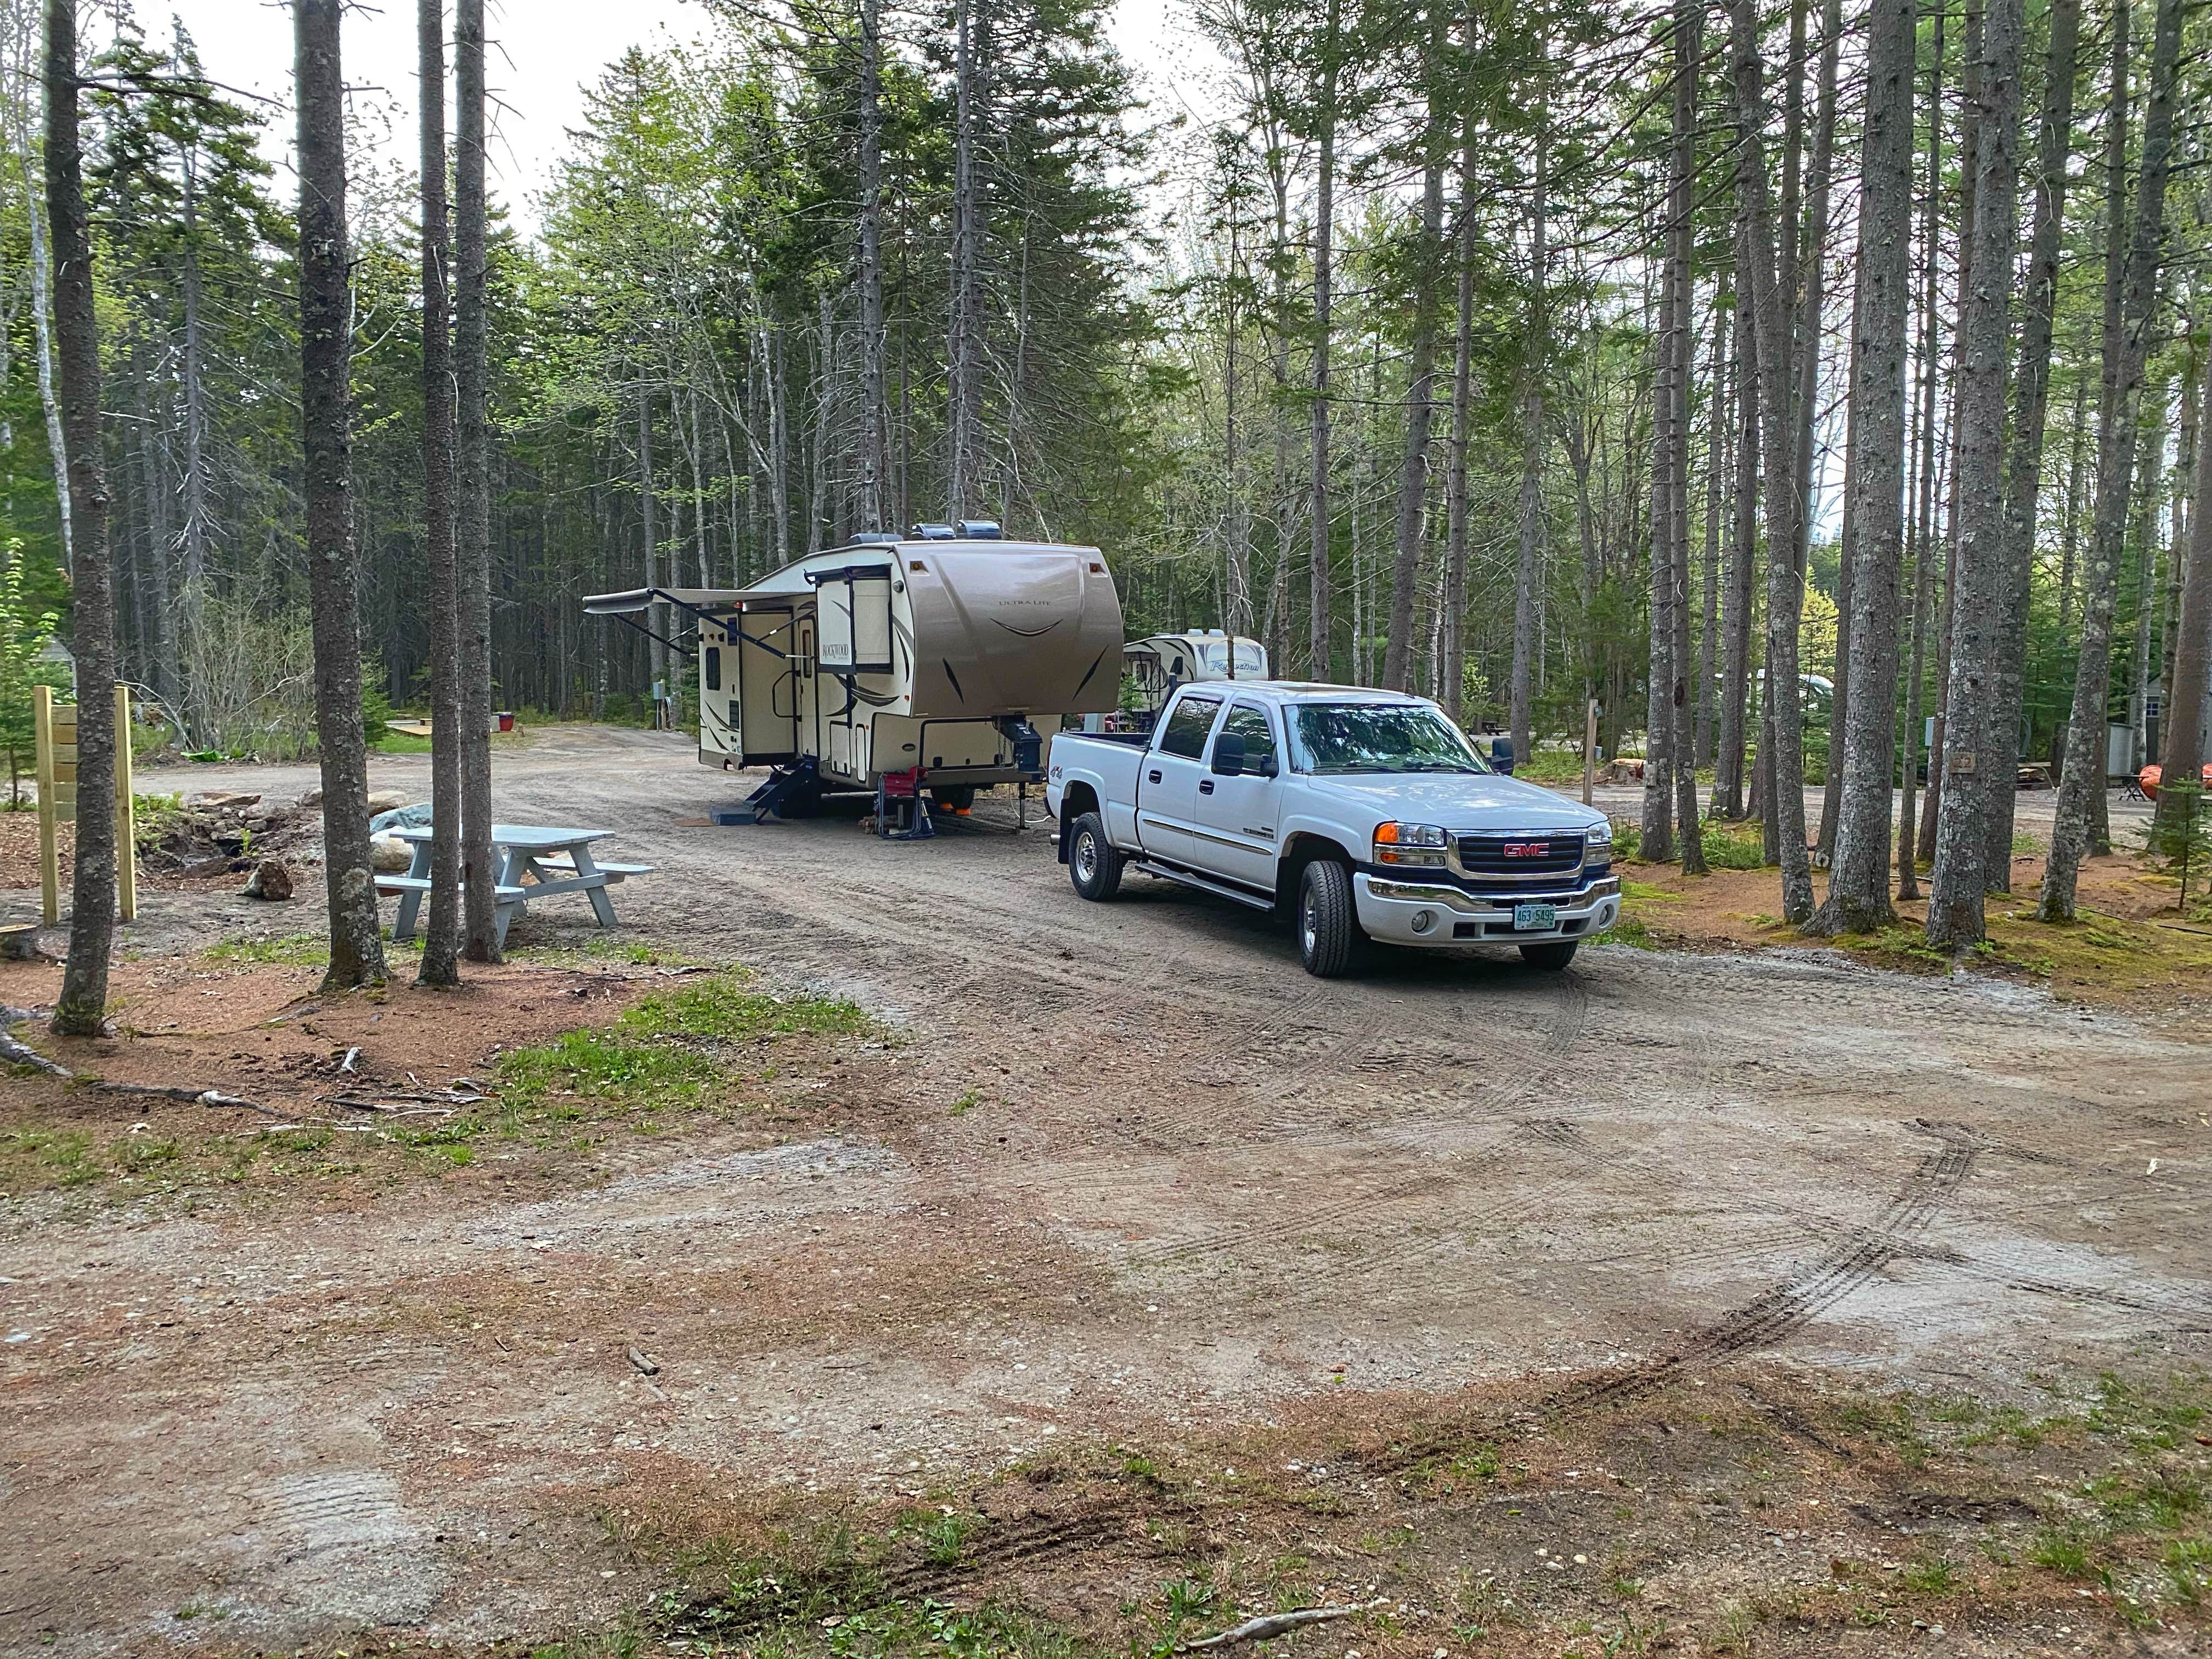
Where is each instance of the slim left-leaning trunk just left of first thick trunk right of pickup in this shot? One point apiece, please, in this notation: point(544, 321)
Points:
point(1784, 731)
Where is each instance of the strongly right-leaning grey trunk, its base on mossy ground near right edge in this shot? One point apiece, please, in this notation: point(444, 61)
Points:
point(2125, 346)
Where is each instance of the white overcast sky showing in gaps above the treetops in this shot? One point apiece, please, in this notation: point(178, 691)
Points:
point(543, 52)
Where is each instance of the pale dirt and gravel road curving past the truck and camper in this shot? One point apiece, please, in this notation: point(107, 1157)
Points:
point(1136, 1169)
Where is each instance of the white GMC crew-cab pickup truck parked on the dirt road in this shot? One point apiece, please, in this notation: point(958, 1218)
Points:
point(1366, 815)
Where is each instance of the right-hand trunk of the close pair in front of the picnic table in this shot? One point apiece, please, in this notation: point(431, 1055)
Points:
point(472, 486)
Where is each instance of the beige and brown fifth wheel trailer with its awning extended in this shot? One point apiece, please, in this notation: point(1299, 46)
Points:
point(897, 654)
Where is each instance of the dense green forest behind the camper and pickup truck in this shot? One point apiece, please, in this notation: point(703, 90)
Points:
point(1512, 355)
